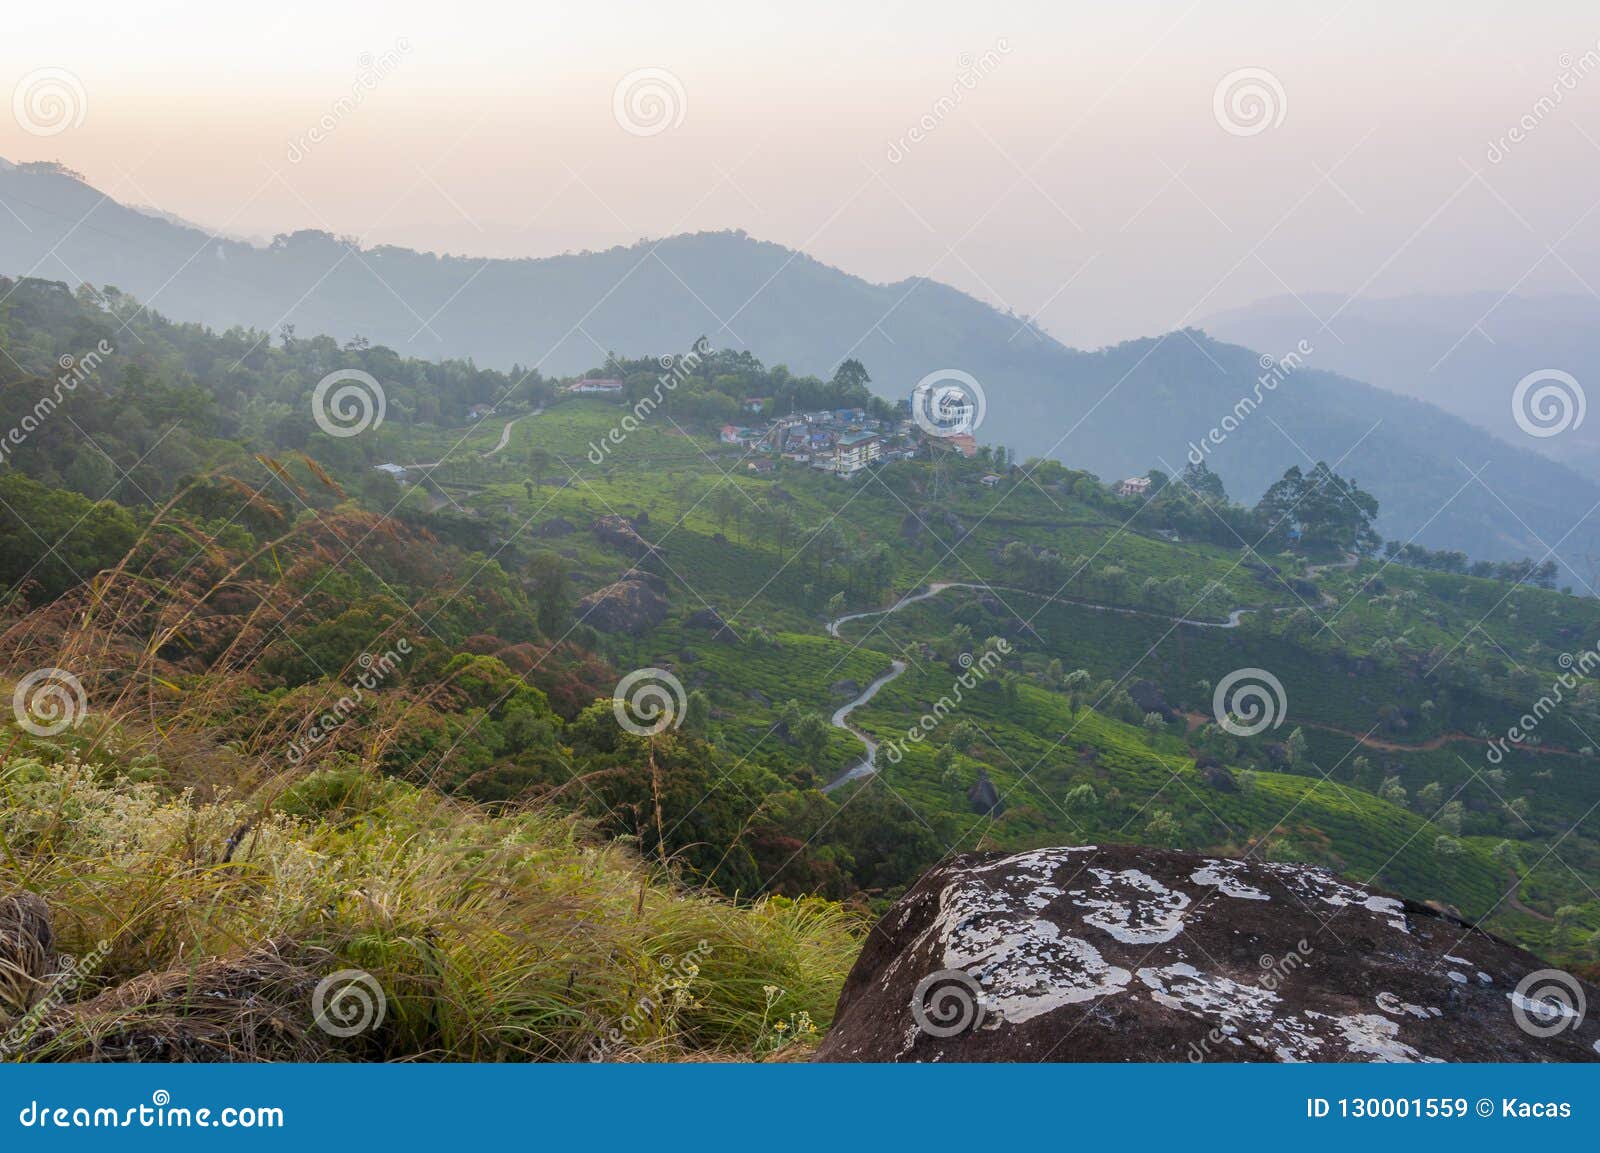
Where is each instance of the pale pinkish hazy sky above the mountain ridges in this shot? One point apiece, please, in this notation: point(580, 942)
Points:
point(1084, 177)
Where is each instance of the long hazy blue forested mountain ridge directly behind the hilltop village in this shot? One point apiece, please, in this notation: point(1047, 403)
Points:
point(1114, 412)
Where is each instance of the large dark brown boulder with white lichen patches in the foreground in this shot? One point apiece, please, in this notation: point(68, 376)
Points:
point(1134, 954)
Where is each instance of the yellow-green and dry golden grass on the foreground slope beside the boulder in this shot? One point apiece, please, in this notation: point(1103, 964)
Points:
point(215, 887)
